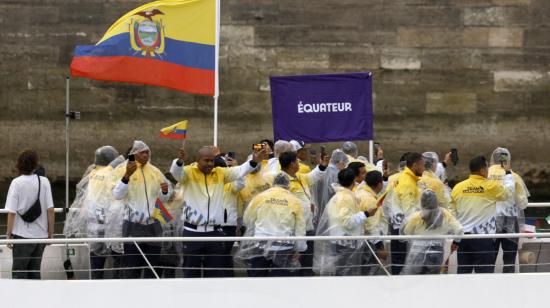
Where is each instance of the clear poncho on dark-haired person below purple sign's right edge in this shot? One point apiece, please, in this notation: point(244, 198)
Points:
point(341, 217)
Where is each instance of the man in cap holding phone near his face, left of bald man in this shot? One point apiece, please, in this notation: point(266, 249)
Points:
point(138, 185)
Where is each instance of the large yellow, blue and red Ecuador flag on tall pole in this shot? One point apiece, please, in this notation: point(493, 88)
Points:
point(167, 43)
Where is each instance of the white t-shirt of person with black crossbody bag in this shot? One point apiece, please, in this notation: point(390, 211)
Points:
point(21, 196)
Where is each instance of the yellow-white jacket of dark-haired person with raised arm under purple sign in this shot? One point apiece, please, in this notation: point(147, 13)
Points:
point(300, 186)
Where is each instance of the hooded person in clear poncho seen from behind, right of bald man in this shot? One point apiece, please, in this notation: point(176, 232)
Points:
point(262, 218)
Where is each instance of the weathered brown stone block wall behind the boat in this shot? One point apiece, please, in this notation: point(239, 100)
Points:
point(471, 74)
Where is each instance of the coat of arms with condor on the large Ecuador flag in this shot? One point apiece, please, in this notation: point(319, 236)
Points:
point(147, 34)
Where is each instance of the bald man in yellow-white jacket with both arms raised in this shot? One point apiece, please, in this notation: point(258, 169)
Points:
point(203, 212)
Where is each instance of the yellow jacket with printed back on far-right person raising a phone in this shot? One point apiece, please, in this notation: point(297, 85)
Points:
point(473, 202)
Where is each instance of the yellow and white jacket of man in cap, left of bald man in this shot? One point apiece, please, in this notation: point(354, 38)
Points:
point(140, 194)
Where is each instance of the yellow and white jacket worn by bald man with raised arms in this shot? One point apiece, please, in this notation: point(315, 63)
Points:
point(204, 193)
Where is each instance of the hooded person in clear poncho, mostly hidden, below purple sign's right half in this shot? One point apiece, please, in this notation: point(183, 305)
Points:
point(323, 190)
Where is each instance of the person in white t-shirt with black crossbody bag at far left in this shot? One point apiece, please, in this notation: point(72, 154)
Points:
point(22, 195)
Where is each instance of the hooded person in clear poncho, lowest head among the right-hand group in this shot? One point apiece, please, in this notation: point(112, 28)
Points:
point(426, 256)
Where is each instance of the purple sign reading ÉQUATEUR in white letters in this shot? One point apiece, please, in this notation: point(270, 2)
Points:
point(322, 108)
